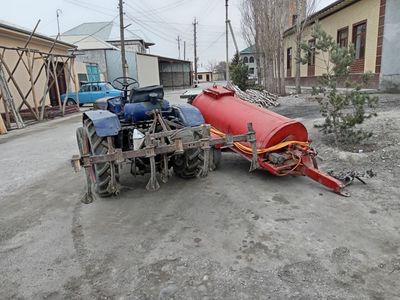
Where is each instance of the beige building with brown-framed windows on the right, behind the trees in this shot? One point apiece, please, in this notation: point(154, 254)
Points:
point(372, 26)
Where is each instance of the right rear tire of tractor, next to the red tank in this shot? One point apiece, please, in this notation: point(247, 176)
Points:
point(189, 164)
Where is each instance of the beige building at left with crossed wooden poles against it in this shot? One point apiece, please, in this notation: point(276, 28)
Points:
point(12, 37)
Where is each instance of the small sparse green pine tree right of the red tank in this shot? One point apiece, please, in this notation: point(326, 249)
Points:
point(343, 112)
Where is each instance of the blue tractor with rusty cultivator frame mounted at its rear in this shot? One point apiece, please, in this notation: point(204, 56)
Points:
point(141, 129)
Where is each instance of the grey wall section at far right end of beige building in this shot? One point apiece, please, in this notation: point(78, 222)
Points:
point(390, 68)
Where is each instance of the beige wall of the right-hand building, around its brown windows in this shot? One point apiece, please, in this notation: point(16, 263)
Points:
point(359, 11)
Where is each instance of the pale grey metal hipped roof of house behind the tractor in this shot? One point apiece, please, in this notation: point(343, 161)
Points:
point(106, 31)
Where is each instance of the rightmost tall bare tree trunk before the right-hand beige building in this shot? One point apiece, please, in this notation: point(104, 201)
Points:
point(304, 9)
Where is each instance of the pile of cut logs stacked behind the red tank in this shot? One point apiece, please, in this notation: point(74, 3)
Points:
point(261, 98)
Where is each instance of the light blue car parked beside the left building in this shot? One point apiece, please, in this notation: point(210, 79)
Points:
point(90, 92)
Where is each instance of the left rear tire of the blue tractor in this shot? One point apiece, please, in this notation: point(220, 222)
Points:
point(99, 146)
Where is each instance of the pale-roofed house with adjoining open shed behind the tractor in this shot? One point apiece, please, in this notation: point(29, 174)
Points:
point(99, 57)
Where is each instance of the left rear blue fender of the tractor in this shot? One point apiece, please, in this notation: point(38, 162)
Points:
point(105, 122)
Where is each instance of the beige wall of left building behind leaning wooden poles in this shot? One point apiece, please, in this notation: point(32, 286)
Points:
point(10, 38)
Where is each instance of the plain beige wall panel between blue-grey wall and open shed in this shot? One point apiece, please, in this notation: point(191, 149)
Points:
point(147, 70)
